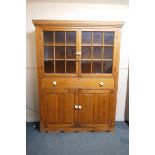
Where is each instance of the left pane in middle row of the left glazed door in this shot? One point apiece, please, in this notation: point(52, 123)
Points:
point(48, 52)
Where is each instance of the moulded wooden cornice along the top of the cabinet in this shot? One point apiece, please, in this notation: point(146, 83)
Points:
point(72, 23)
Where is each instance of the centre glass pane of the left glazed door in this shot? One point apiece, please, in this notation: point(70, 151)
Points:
point(59, 52)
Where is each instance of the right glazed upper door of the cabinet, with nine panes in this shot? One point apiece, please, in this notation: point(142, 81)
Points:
point(97, 52)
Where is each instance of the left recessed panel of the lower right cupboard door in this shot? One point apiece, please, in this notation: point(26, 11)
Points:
point(86, 111)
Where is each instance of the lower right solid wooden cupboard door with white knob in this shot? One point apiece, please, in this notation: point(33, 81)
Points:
point(94, 107)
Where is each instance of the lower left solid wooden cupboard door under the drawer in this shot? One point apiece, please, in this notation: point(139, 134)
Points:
point(58, 108)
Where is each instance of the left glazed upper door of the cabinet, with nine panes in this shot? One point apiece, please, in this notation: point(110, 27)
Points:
point(59, 52)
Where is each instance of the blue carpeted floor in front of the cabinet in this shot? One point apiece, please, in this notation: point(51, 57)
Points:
point(86, 143)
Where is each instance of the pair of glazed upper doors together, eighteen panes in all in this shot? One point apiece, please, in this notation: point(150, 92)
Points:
point(78, 52)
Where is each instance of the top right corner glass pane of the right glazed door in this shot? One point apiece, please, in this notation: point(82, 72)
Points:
point(109, 38)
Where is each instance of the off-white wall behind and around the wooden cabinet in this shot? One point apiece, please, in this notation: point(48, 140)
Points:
point(73, 11)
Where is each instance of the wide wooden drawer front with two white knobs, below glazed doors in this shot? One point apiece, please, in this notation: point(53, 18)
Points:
point(81, 83)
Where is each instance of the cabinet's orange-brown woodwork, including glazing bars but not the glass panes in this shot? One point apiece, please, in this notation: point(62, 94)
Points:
point(77, 101)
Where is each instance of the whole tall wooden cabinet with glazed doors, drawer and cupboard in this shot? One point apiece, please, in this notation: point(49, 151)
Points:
point(77, 65)
